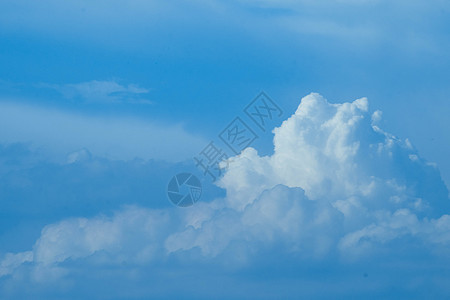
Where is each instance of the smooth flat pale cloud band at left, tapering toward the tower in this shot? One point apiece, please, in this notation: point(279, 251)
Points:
point(61, 132)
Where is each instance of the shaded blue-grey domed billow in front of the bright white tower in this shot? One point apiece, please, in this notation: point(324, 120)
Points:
point(281, 216)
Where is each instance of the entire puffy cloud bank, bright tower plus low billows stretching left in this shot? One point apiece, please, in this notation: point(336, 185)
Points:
point(337, 189)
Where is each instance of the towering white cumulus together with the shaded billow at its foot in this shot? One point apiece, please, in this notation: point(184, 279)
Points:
point(355, 176)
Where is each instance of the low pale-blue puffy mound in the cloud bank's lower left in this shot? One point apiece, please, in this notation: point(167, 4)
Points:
point(131, 235)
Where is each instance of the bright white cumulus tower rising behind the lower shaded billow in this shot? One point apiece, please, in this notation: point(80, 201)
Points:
point(334, 152)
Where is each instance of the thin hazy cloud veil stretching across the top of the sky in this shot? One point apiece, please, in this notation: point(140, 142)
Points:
point(346, 20)
